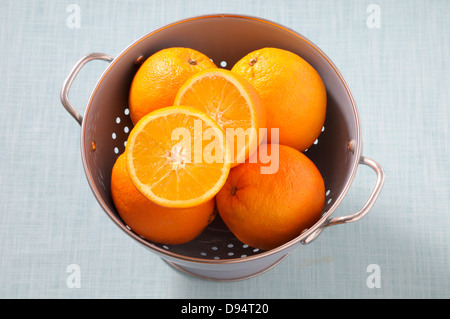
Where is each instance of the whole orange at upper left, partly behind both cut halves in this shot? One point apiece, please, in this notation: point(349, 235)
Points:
point(158, 79)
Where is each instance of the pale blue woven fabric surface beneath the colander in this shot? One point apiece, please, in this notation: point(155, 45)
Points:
point(398, 74)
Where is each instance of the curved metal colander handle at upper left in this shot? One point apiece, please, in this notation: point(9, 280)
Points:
point(64, 95)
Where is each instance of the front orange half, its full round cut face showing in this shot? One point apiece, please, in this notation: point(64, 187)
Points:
point(177, 157)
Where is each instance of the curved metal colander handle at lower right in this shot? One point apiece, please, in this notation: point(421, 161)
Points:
point(364, 210)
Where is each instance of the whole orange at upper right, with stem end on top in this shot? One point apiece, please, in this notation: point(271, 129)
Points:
point(291, 91)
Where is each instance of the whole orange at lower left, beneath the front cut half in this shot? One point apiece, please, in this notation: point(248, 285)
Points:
point(151, 221)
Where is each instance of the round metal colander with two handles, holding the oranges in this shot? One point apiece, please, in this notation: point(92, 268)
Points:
point(217, 254)
